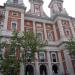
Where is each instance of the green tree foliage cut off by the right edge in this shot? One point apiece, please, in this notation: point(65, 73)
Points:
point(70, 45)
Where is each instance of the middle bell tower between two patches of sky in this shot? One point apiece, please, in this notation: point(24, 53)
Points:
point(36, 8)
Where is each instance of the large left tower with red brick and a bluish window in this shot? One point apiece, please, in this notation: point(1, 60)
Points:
point(14, 15)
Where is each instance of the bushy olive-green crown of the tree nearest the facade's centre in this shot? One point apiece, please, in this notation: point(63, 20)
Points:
point(30, 42)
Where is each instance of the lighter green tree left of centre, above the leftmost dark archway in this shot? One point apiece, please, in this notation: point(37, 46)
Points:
point(30, 44)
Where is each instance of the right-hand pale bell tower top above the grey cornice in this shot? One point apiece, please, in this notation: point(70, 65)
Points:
point(56, 7)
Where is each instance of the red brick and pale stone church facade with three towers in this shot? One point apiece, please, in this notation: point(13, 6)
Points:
point(54, 59)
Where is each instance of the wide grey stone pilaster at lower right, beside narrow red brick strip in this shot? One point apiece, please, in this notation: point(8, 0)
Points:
point(68, 63)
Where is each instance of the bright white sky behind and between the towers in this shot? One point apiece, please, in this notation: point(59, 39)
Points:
point(69, 5)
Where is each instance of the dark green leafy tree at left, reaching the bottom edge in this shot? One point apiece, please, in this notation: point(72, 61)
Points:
point(11, 60)
